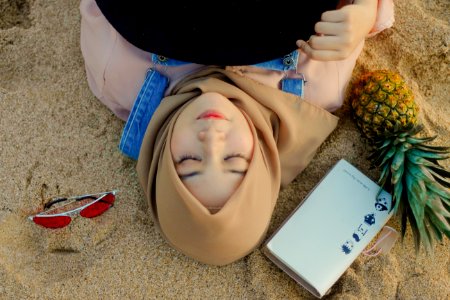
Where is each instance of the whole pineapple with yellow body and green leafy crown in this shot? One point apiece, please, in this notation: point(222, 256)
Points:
point(385, 111)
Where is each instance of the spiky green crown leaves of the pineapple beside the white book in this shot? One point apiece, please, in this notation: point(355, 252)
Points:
point(420, 186)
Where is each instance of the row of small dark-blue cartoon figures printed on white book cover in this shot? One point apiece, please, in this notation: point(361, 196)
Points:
point(381, 205)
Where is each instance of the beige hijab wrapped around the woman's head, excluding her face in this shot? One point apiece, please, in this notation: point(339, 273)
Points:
point(287, 132)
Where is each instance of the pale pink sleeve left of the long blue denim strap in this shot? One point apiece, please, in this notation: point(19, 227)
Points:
point(115, 69)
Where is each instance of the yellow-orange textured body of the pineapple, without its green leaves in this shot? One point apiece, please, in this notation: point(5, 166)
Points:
point(383, 104)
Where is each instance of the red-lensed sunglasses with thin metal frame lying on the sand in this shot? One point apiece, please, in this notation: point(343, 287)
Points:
point(87, 206)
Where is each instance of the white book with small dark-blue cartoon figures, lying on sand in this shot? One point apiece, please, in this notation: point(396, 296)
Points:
point(327, 231)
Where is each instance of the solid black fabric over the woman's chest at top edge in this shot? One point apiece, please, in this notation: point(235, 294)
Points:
point(216, 32)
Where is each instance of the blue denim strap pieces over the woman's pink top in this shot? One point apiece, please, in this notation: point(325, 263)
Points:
point(154, 87)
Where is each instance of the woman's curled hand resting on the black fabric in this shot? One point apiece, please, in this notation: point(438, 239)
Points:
point(340, 31)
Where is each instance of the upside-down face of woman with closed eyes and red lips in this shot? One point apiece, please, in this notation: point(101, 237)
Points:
point(211, 146)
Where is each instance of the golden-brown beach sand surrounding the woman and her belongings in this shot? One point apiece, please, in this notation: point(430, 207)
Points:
point(56, 139)
